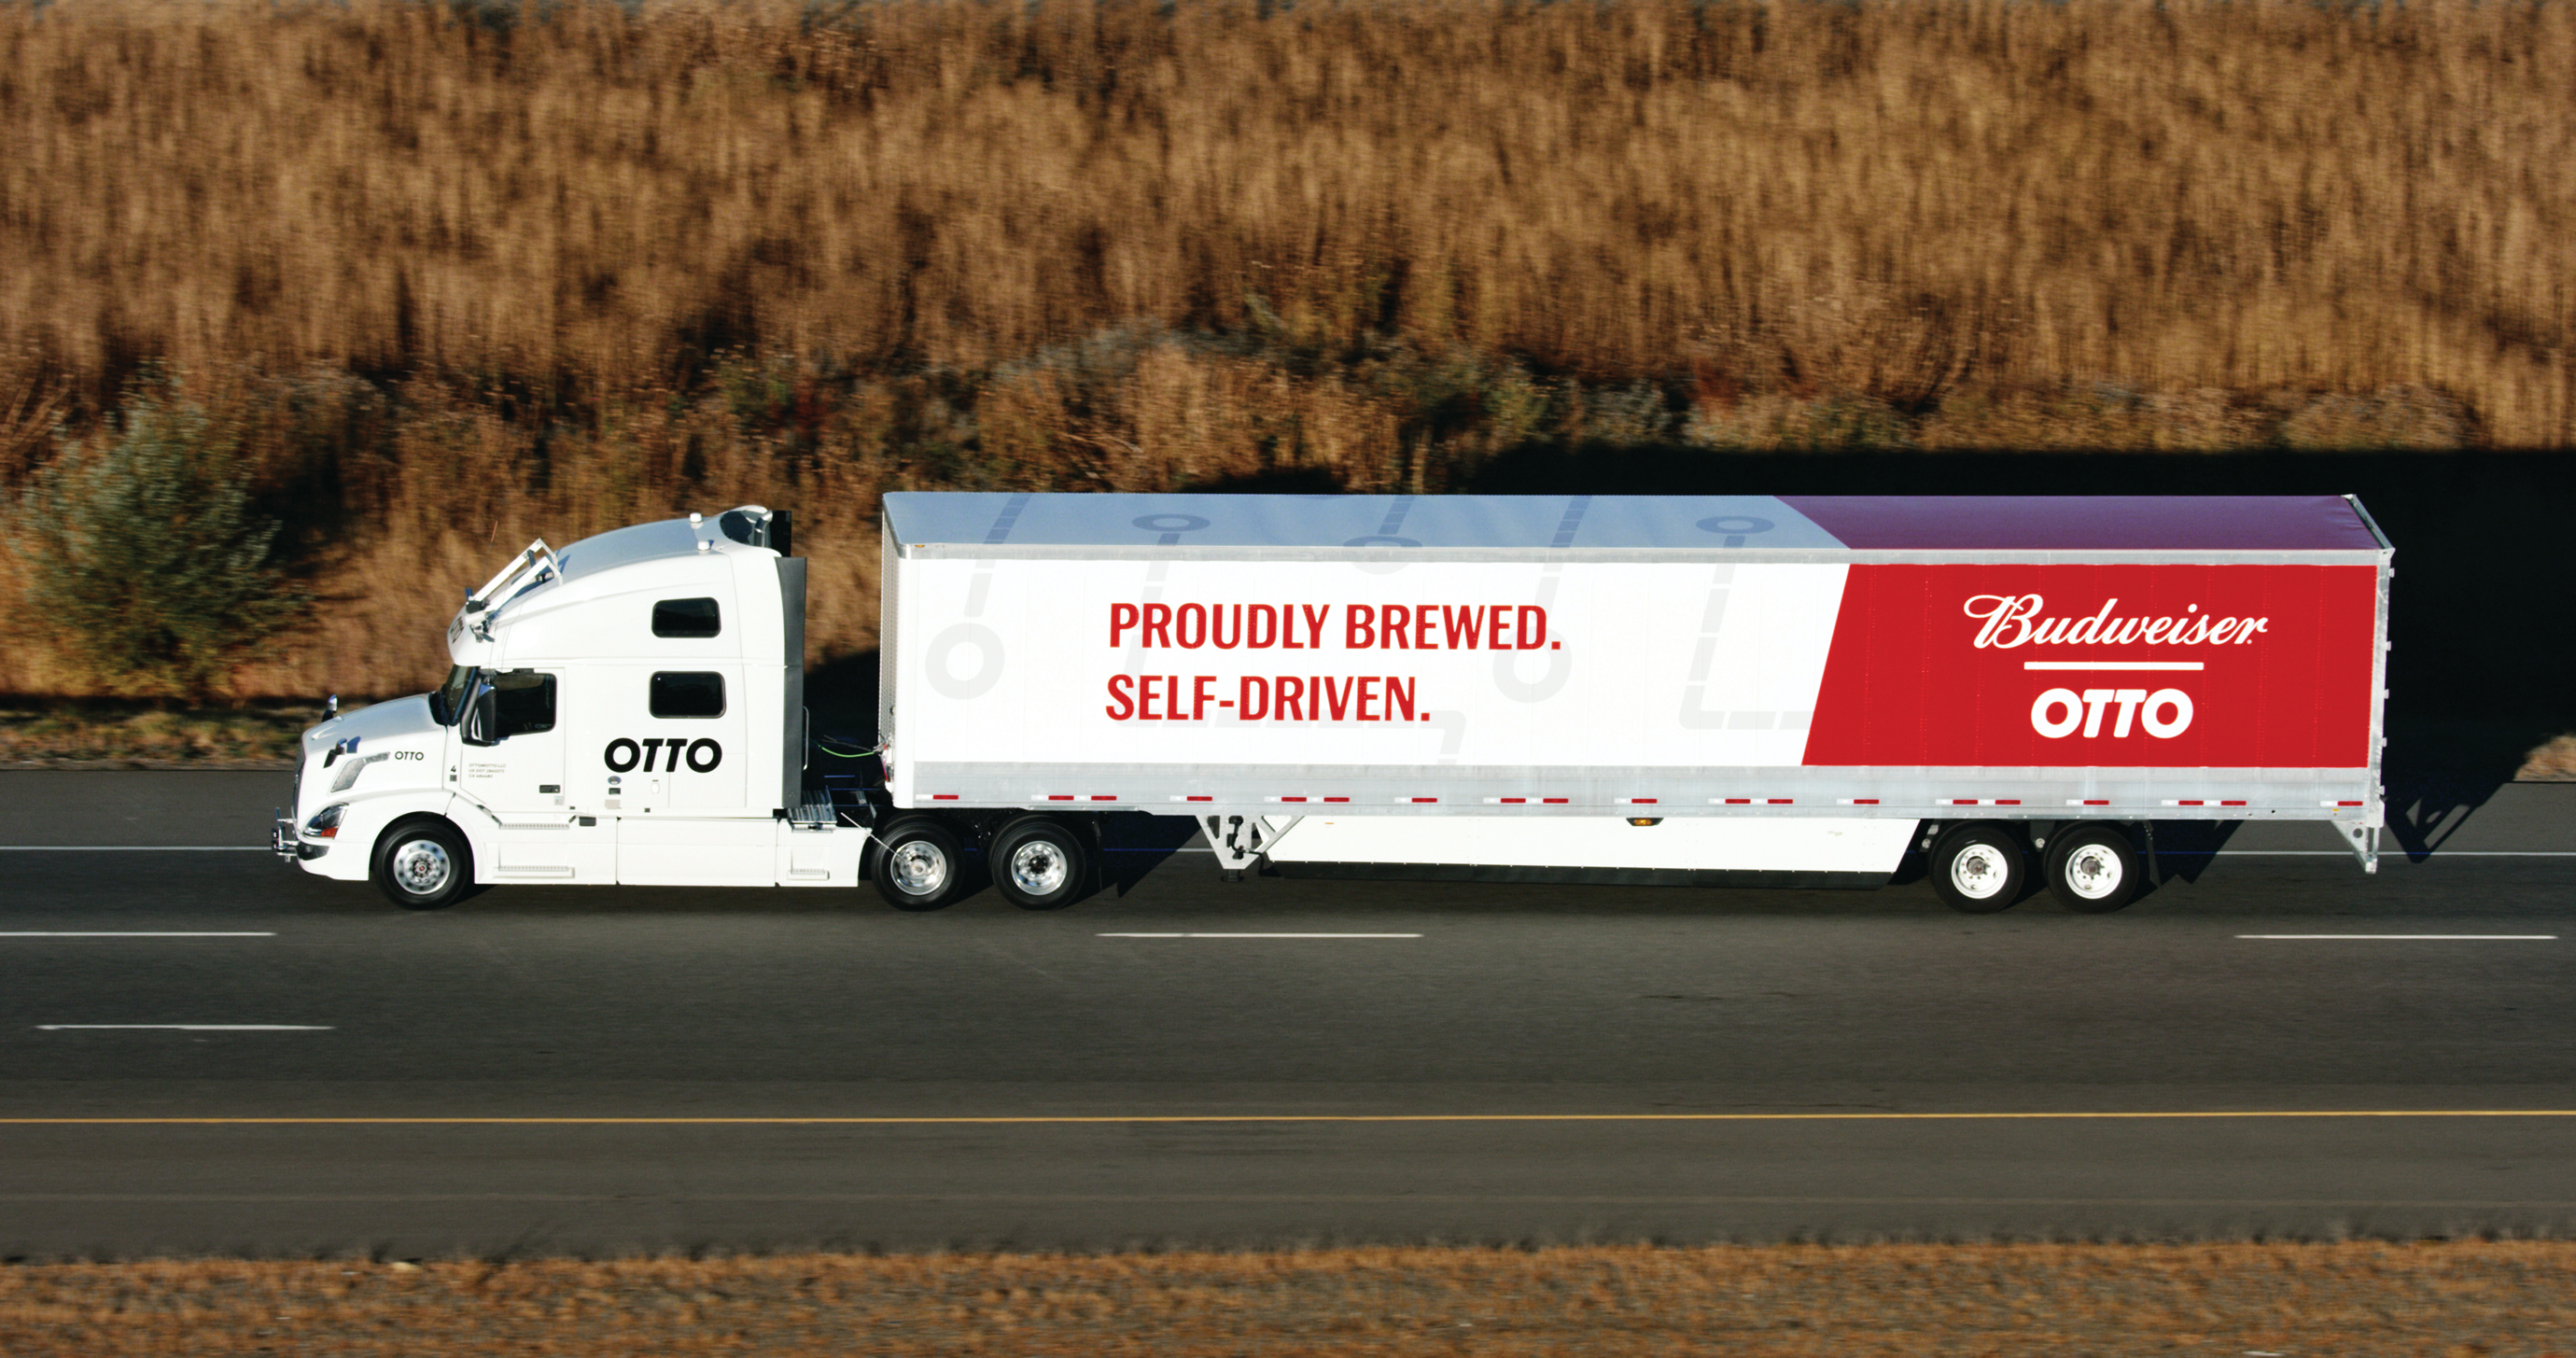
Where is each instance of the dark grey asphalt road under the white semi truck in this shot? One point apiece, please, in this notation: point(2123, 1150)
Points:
point(1472, 1063)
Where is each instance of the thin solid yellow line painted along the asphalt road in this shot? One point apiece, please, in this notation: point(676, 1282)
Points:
point(1112, 1120)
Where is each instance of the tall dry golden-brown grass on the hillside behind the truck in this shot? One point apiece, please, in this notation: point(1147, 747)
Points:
point(462, 280)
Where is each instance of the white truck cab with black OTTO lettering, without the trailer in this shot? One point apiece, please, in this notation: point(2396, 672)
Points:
point(625, 710)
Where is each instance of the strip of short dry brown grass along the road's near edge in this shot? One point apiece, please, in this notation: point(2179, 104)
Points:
point(1846, 1303)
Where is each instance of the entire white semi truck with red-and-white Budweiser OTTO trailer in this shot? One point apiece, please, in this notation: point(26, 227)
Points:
point(1725, 692)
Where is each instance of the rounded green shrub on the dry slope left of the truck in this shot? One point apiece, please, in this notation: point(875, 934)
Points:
point(146, 555)
